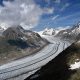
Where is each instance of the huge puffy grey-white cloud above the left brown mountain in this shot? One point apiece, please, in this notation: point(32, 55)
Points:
point(24, 12)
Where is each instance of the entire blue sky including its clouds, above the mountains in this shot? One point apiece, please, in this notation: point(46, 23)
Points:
point(39, 14)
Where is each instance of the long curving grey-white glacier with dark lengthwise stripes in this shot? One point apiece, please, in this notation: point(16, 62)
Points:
point(29, 64)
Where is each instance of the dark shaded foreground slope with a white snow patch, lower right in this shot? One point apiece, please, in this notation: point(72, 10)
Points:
point(66, 66)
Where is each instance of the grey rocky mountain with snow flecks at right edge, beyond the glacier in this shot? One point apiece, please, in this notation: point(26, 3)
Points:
point(71, 33)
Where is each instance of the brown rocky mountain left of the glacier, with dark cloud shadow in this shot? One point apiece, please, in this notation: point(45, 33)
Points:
point(15, 42)
